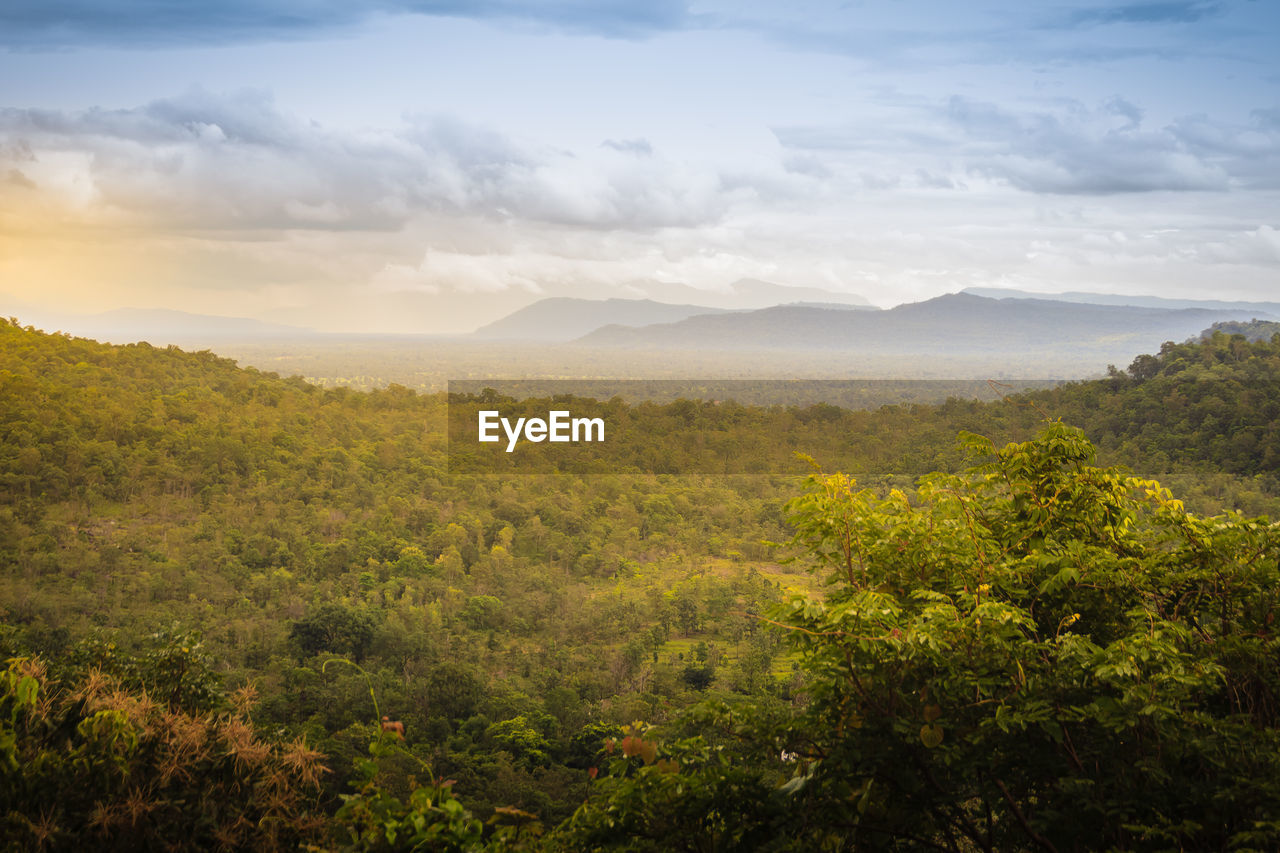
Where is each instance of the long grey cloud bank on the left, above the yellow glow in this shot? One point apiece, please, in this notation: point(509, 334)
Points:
point(235, 162)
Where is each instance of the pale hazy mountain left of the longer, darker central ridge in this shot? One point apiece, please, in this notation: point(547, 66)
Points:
point(563, 318)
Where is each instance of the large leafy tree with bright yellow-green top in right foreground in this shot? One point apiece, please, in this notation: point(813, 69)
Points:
point(1036, 654)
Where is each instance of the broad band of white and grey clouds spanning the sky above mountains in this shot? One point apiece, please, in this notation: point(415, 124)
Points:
point(230, 195)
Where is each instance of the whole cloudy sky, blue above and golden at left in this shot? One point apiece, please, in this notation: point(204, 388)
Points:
point(429, 166)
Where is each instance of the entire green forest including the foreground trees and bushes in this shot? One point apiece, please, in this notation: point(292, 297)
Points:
point(243, 612)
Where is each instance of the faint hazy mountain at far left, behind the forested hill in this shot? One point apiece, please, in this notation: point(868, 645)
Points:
point(161, 327)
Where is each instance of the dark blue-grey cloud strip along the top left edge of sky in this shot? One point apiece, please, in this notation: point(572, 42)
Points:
point(54, 24)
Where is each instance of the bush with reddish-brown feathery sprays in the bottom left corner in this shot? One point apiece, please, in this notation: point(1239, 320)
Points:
point(89, 763)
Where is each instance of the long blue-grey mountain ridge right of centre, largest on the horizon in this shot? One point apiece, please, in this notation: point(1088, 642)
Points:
point(954, 325)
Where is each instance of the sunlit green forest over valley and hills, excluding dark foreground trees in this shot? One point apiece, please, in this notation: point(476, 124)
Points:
point(510, 624)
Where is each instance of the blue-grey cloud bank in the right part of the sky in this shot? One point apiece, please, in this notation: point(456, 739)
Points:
point(1058, 147)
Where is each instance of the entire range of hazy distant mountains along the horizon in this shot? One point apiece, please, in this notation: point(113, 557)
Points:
point(977, 322)
